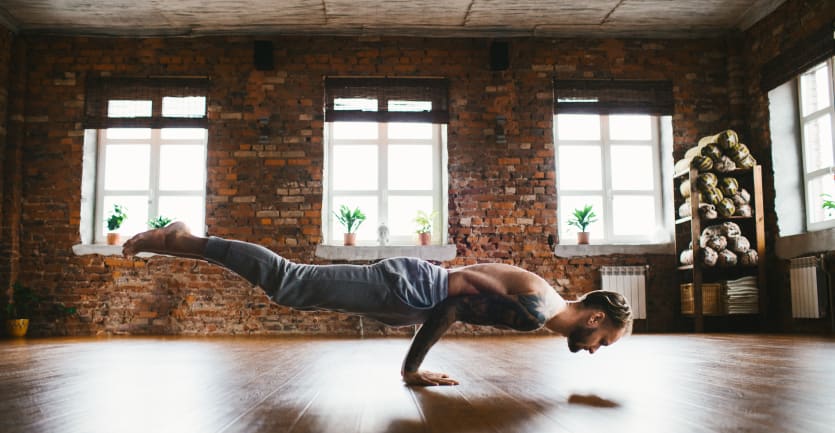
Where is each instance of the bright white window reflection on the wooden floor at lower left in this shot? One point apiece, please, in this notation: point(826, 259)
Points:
point(116, 387)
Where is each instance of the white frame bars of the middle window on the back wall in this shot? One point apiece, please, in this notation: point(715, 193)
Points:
point(382, 142)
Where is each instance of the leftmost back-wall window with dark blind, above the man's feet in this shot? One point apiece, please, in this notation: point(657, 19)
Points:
point(145, 150)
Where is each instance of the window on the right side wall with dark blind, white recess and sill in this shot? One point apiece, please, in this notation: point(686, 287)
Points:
point(799, 83)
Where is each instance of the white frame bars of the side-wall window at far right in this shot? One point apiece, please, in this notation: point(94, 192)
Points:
point(810, 176)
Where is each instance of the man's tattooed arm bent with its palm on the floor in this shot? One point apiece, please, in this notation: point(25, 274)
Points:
point(519, 312)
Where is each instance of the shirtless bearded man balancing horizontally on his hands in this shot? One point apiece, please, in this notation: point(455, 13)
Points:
point(407, 291)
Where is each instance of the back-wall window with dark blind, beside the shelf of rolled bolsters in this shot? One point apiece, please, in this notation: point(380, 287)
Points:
point(610, 136)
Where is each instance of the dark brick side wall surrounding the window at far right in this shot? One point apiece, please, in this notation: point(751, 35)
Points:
point(770, 37)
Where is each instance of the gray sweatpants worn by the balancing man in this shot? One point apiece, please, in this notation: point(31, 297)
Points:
point(399, 291)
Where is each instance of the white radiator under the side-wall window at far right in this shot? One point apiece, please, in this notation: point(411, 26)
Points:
point(806, 285)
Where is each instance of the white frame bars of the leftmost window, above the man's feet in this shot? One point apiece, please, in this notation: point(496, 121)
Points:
point(153, 192)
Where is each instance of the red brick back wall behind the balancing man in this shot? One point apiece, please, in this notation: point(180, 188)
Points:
point(267, 187)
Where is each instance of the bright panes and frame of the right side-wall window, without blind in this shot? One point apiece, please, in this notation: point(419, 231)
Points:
point(817, 117)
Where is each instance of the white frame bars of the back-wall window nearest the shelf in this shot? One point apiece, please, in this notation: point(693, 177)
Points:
point(607, 192)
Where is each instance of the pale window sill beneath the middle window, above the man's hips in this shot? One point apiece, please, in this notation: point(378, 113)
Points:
point(362, 253)
